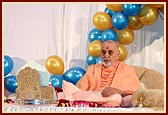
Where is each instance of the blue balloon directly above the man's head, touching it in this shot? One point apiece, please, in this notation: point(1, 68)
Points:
point(109, 35)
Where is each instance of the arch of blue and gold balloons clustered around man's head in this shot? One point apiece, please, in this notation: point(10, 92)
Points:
point(118, 22)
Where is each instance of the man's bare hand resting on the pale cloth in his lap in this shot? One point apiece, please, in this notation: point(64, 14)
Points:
point(108, 91)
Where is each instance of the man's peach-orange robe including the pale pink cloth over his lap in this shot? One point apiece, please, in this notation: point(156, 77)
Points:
point(97, 77)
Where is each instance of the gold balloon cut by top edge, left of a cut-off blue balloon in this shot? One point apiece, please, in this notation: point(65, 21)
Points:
point(114, 7)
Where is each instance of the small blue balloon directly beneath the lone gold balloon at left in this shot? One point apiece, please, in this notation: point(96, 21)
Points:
point(56, 80)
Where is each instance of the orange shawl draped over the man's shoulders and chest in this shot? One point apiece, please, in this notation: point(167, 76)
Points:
point(124, 78)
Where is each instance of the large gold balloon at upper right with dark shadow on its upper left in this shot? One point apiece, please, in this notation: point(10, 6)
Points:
point(148, 15)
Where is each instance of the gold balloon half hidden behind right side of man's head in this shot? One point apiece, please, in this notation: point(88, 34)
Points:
point(123, 52)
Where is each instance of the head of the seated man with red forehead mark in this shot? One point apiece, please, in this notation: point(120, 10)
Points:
point(109, 53)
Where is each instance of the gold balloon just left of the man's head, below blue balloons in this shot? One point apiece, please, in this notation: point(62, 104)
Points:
point(94, 48)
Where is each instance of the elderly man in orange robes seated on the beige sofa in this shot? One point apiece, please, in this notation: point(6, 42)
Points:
point(111, 81)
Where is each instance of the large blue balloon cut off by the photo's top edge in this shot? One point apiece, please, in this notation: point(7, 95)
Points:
point(131, 9)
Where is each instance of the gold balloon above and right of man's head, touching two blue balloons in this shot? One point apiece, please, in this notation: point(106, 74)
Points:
point(125, 36)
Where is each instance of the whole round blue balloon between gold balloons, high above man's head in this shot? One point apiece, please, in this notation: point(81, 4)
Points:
point(119, 20)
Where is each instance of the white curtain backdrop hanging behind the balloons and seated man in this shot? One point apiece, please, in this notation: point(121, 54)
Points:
point(34, 31)
